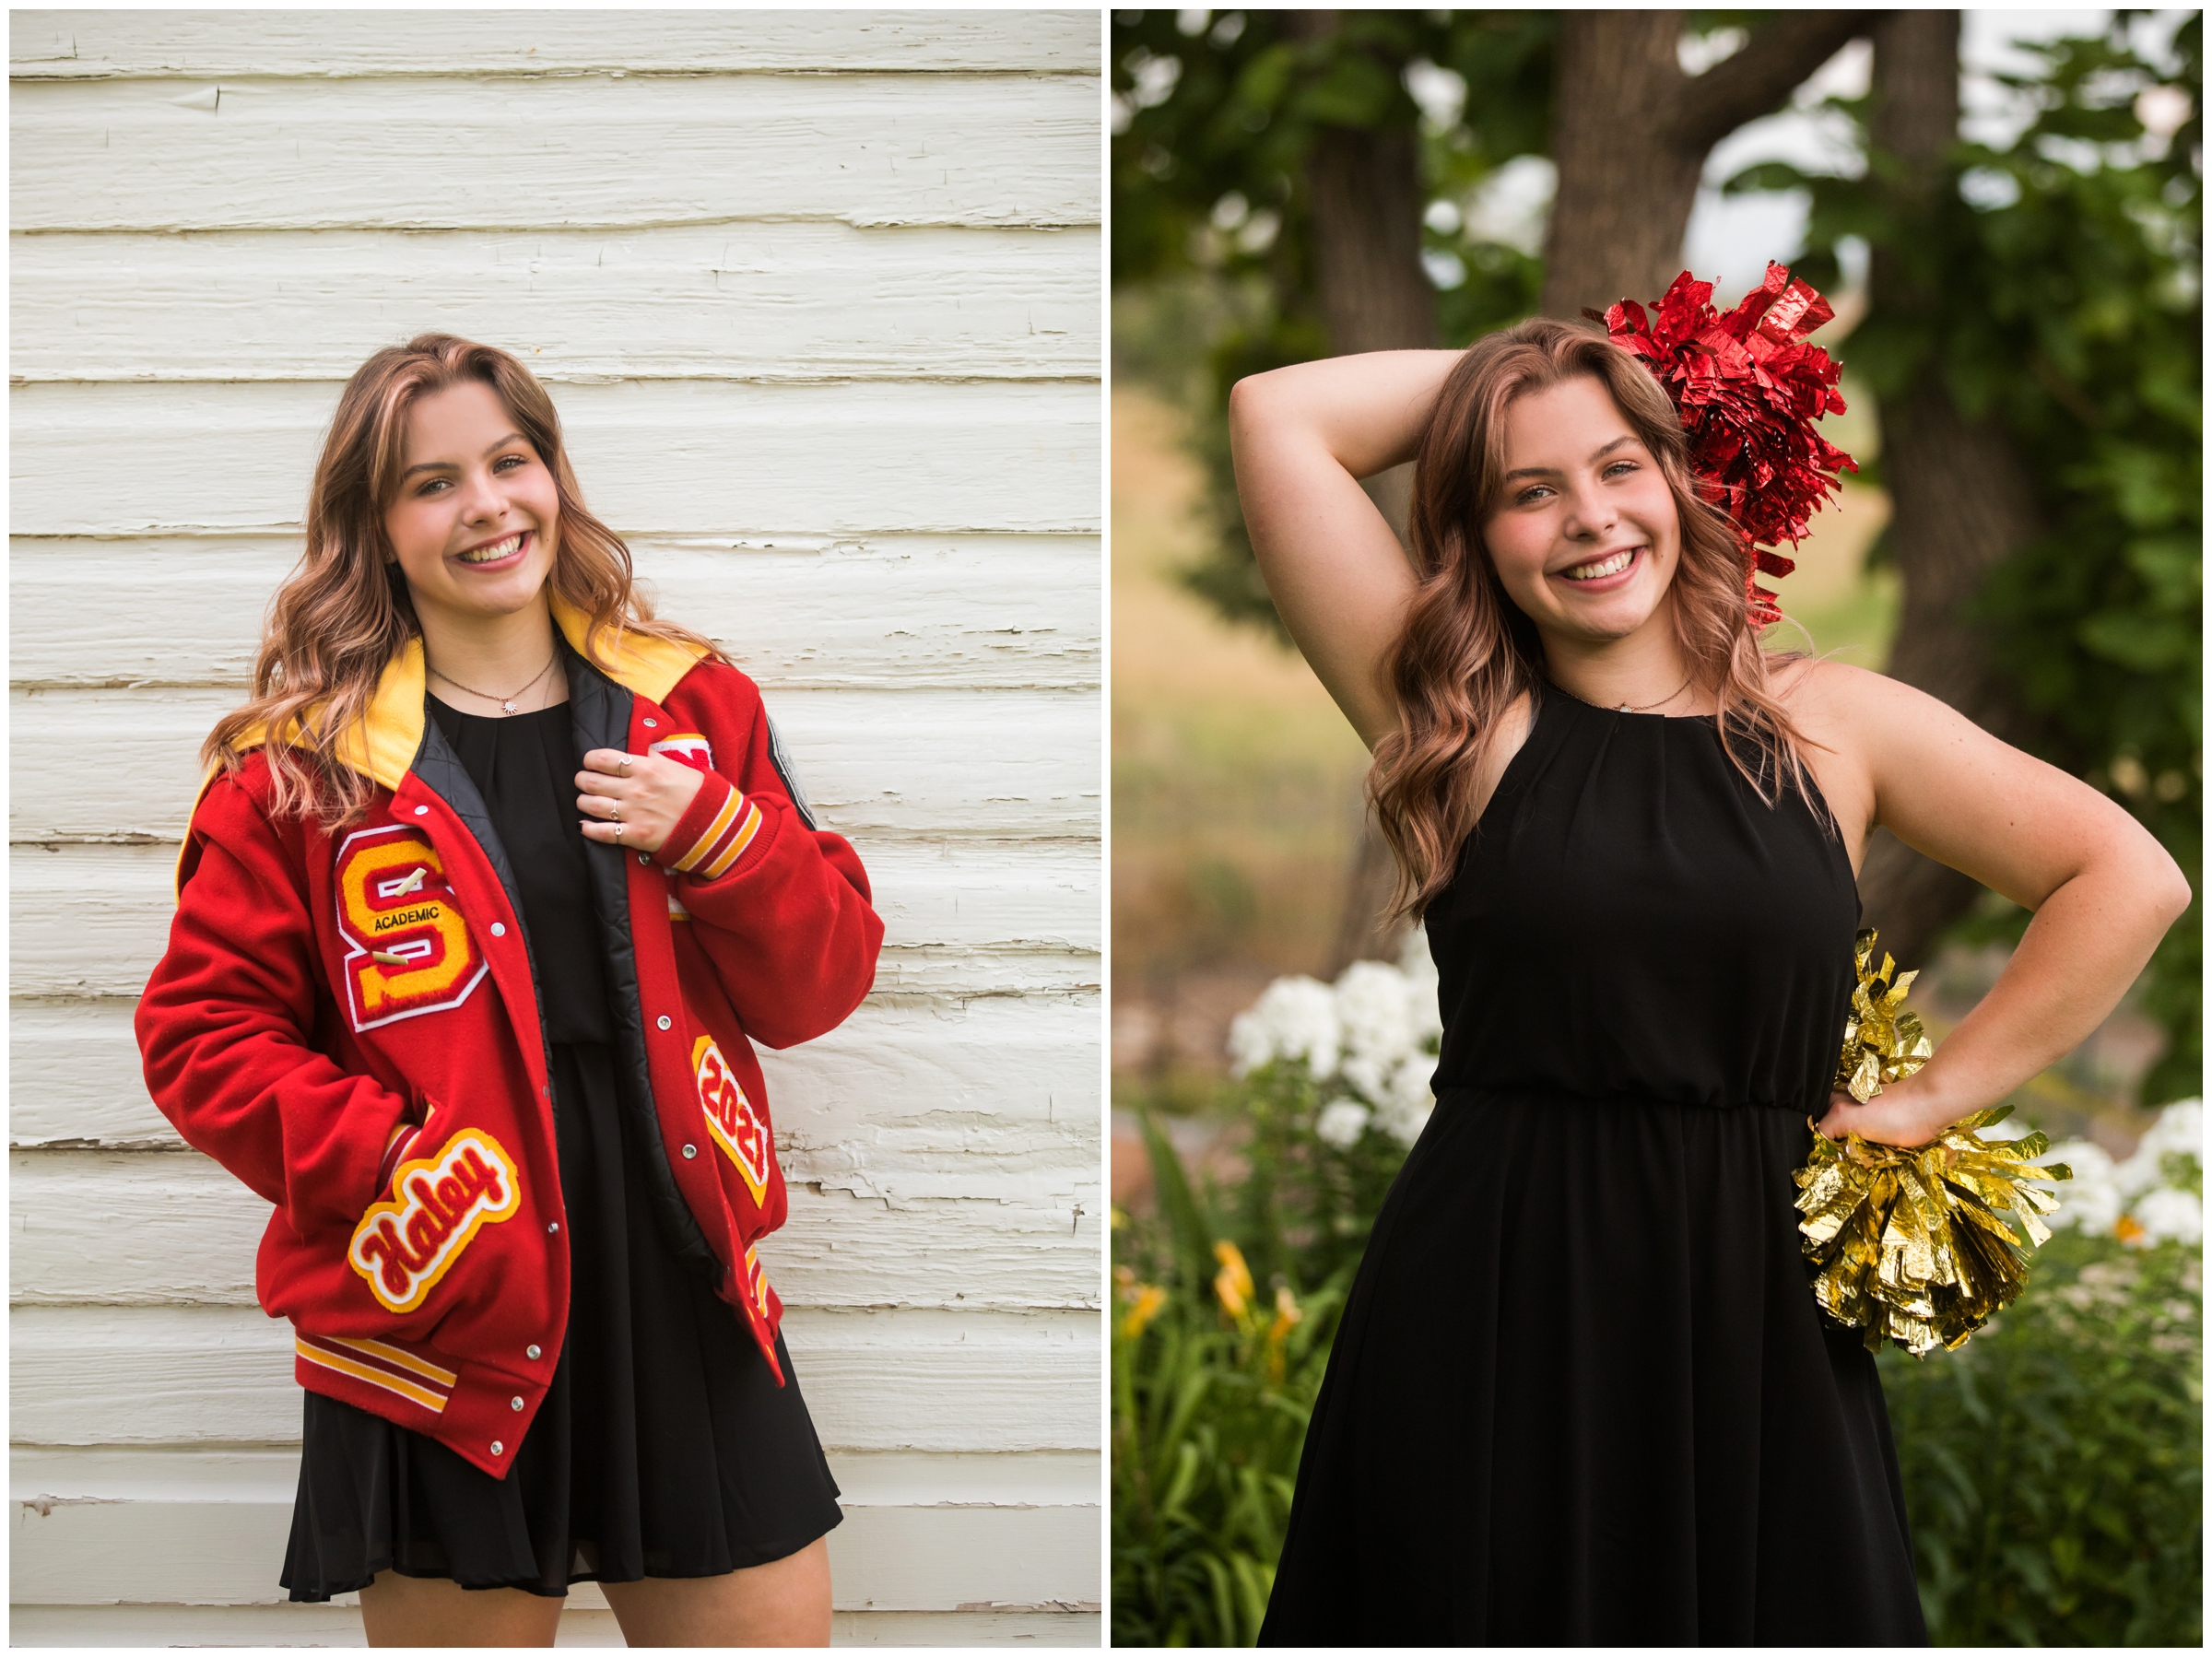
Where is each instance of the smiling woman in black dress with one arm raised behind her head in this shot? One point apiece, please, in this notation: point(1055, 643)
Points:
point(1583, 1393)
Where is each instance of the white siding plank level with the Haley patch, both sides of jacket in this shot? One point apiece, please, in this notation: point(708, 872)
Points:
point(196, 1229)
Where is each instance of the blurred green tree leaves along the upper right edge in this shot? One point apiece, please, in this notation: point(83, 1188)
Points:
point(2067, 304)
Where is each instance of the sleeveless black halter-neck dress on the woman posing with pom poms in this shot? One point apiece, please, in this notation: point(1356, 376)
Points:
point(1583, 1393)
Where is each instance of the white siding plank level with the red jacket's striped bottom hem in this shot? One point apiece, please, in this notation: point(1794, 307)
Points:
point(921, 1382)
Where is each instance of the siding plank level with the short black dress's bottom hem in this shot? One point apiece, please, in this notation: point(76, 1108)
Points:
point(881, 1559)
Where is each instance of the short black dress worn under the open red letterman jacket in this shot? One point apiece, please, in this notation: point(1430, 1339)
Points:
point(665, 1446)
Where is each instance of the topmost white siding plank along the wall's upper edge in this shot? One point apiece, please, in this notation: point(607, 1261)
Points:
point(92, 45)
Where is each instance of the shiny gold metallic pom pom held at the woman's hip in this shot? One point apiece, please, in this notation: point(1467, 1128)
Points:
point(1908, 1242)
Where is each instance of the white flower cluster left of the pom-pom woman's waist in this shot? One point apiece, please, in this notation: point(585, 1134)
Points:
point(1375, 1034)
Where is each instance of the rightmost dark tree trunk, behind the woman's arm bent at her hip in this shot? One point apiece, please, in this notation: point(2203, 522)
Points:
point(1961, 499)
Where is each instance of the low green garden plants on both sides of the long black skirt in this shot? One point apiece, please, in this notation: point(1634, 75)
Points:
point(2054, 1468)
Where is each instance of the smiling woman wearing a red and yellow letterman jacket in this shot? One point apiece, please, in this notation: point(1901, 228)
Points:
point(490, 886)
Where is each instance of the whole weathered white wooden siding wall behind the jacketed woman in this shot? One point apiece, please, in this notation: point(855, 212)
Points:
point(820, 302)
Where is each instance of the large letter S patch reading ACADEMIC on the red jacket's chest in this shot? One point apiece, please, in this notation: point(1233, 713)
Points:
point(406, 946)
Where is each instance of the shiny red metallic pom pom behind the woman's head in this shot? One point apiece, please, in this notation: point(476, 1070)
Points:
point(1749, 390)
